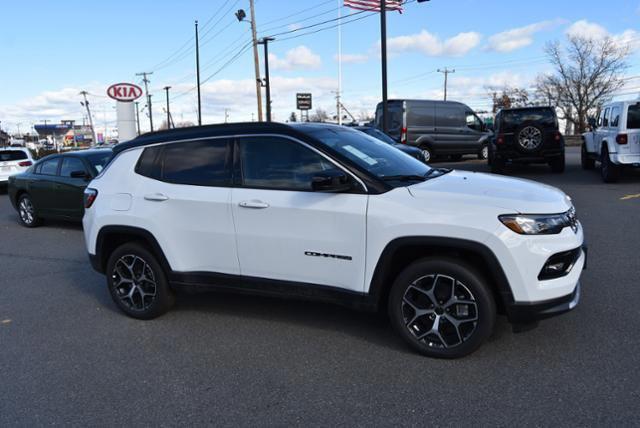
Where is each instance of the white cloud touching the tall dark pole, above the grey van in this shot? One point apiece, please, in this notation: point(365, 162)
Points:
point(431, 45)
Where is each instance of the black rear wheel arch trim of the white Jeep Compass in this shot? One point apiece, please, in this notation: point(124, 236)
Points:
point(111, 237)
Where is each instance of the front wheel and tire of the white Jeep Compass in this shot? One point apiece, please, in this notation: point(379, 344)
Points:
point(442, 308)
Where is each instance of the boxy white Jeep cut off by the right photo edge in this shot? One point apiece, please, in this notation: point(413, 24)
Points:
point(614, 140)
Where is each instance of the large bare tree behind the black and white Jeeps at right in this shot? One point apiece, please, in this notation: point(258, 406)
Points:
point(587, 73)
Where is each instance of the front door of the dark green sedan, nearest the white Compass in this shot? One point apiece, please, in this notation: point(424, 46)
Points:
point(69, 190)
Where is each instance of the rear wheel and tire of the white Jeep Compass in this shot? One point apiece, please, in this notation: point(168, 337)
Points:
point(137, 283)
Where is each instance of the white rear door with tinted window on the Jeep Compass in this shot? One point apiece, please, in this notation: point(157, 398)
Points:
point(187, 185)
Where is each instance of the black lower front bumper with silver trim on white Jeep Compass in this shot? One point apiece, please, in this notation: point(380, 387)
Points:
point(526, 313)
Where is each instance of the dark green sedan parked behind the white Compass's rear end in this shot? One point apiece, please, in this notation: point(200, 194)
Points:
point(54, 186)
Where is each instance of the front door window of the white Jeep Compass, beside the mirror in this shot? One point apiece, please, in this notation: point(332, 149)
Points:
point(280, 164)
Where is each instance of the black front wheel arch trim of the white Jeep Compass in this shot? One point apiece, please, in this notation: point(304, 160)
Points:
point(401, 252)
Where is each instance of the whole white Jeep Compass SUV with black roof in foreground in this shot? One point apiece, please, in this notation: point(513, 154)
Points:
point(318, 211)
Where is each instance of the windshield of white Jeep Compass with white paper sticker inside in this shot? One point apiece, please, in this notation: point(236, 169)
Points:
point(371, 154)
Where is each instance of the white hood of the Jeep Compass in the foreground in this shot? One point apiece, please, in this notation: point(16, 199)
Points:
point(514, 195)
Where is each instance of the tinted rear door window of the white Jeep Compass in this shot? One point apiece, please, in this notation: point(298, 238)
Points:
point(197, 163)
